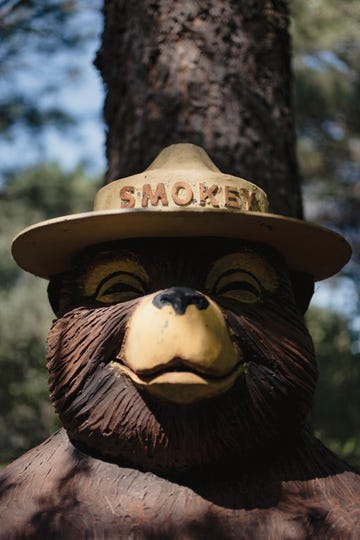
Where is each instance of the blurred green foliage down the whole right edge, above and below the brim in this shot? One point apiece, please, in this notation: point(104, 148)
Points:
point(326, 62)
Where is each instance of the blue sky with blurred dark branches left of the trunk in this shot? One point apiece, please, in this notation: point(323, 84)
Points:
point(48, 90)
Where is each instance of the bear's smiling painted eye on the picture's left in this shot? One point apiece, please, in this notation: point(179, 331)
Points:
point(120, 286)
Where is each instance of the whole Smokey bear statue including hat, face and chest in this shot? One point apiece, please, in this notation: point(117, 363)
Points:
point(181, 368)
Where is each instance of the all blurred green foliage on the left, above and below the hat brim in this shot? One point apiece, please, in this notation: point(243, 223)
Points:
point(25, 316)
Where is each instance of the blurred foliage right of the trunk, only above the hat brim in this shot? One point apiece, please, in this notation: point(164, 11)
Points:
point(326, 64)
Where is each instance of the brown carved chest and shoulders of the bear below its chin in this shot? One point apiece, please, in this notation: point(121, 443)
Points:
point(112, 502)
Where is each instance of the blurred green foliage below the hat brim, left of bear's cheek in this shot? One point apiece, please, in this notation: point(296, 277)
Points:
point(26, 416)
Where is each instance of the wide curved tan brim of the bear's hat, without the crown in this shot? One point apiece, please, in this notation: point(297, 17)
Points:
point(48, 248)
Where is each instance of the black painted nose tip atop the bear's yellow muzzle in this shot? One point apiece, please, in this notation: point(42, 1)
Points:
point(180, 298)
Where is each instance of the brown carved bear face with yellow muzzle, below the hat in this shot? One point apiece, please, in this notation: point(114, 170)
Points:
point(136, 374)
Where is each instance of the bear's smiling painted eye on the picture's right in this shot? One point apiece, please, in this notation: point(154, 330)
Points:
point(239, 285)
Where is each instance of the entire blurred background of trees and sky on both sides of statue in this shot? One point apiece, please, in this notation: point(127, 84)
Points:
point(42, 53)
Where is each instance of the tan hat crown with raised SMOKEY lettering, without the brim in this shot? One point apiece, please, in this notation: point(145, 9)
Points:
point(182, 177)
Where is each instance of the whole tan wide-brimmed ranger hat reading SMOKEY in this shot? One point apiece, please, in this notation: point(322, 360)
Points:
point(181, 194)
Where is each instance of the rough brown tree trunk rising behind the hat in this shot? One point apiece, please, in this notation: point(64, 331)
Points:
point(214, 73)
